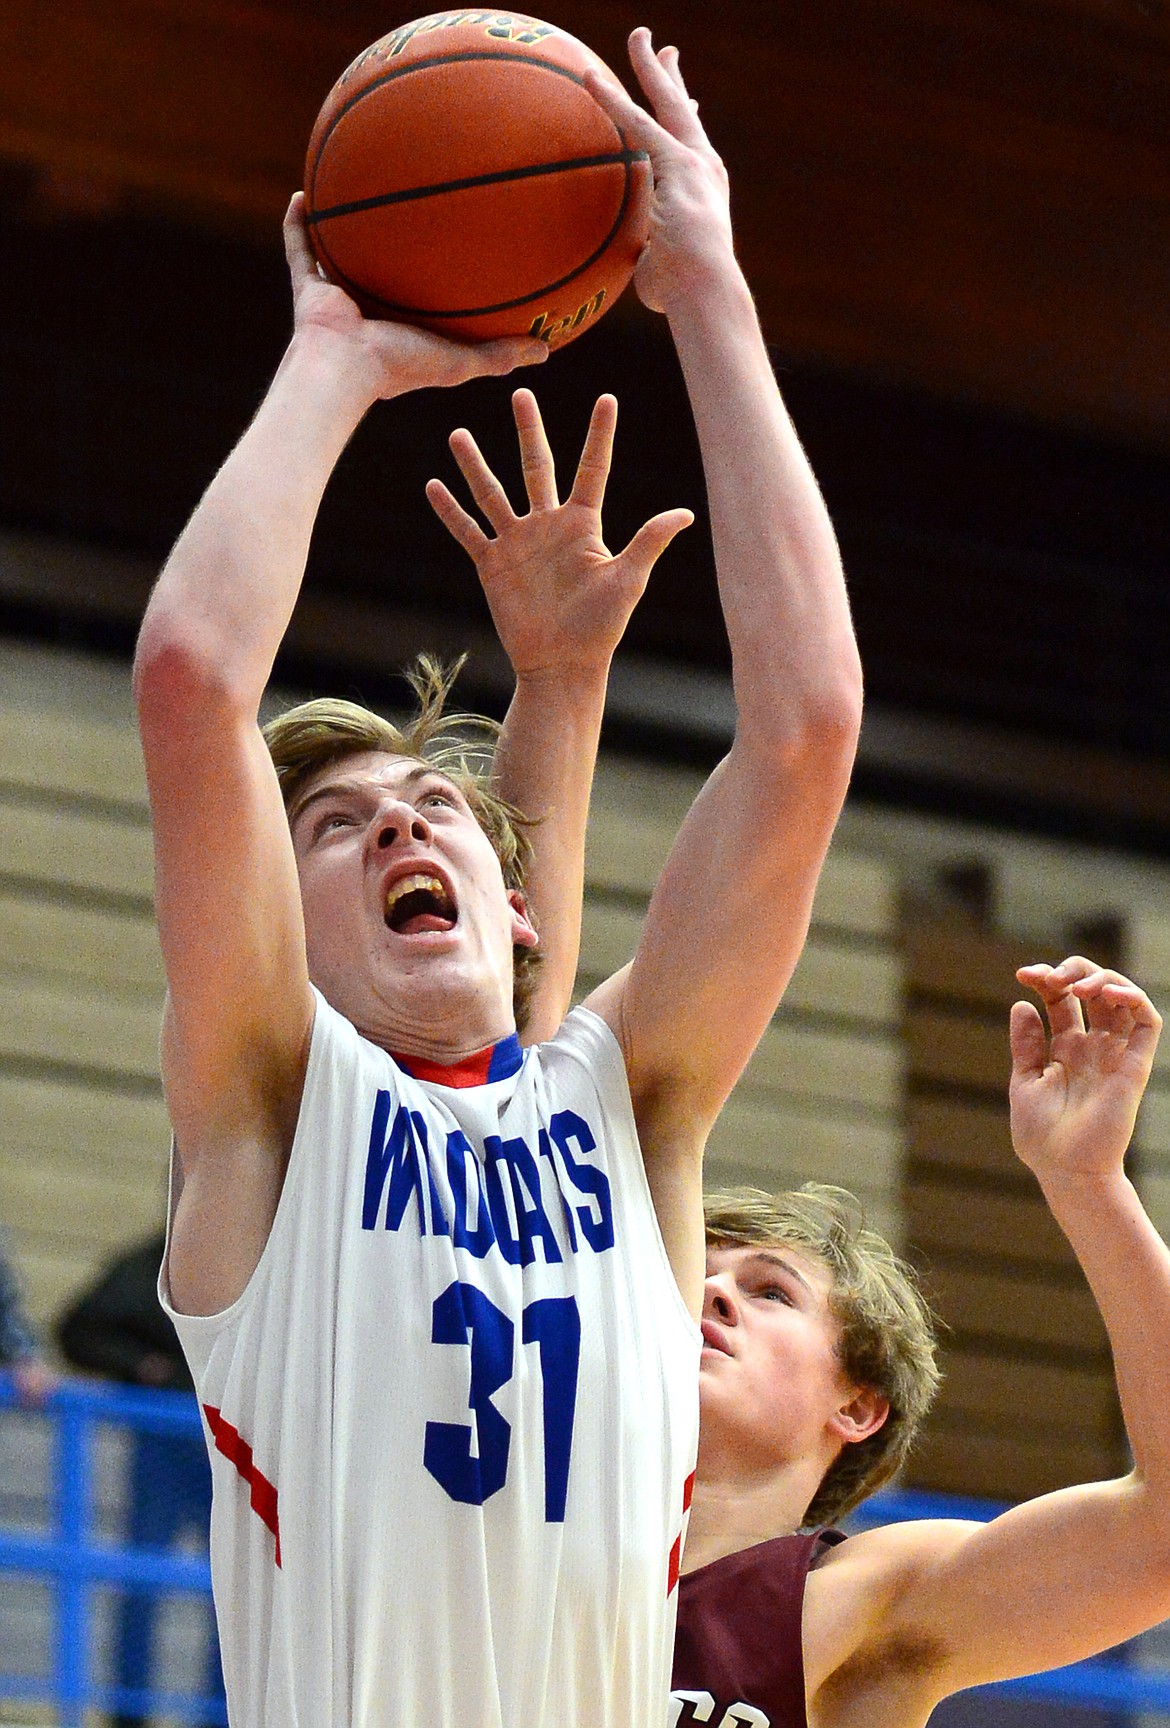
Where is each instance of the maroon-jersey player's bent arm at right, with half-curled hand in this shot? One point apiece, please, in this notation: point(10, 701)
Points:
point(1081, 1570)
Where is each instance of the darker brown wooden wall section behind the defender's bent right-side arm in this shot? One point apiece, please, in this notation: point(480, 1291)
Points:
point(1027, 1401)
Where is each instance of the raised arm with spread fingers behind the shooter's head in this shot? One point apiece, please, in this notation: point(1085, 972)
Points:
point(561, 604)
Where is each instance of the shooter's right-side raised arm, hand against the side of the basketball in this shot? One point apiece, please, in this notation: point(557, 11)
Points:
point(730, 915)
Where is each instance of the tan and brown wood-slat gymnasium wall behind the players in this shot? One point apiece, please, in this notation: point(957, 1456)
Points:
point(886, 1067)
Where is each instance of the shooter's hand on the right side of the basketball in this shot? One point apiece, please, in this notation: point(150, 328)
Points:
point(690, 219)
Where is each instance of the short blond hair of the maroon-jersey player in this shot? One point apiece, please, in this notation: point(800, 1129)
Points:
point(887, 1333)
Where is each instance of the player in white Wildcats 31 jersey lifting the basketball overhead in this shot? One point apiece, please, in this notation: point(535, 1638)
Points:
point(440, 1297)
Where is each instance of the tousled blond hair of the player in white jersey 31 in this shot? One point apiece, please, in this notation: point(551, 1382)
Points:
point(315, 735)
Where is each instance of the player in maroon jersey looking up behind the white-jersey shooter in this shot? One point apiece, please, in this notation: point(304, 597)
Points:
point(817, 1345)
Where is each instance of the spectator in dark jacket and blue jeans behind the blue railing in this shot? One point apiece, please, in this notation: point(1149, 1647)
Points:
point(117, 1328)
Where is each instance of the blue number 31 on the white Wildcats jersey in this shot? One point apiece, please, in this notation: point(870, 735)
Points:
point(464, 1316)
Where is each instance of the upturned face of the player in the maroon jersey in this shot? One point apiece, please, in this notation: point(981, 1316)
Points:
point(772, 1383)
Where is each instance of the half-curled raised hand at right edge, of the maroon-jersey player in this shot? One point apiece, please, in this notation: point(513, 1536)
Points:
point(1076, 1088)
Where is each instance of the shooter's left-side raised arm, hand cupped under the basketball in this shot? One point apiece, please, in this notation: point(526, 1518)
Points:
point(227, 896)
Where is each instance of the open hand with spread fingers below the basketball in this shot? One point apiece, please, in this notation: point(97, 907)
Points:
point(559, 599)
